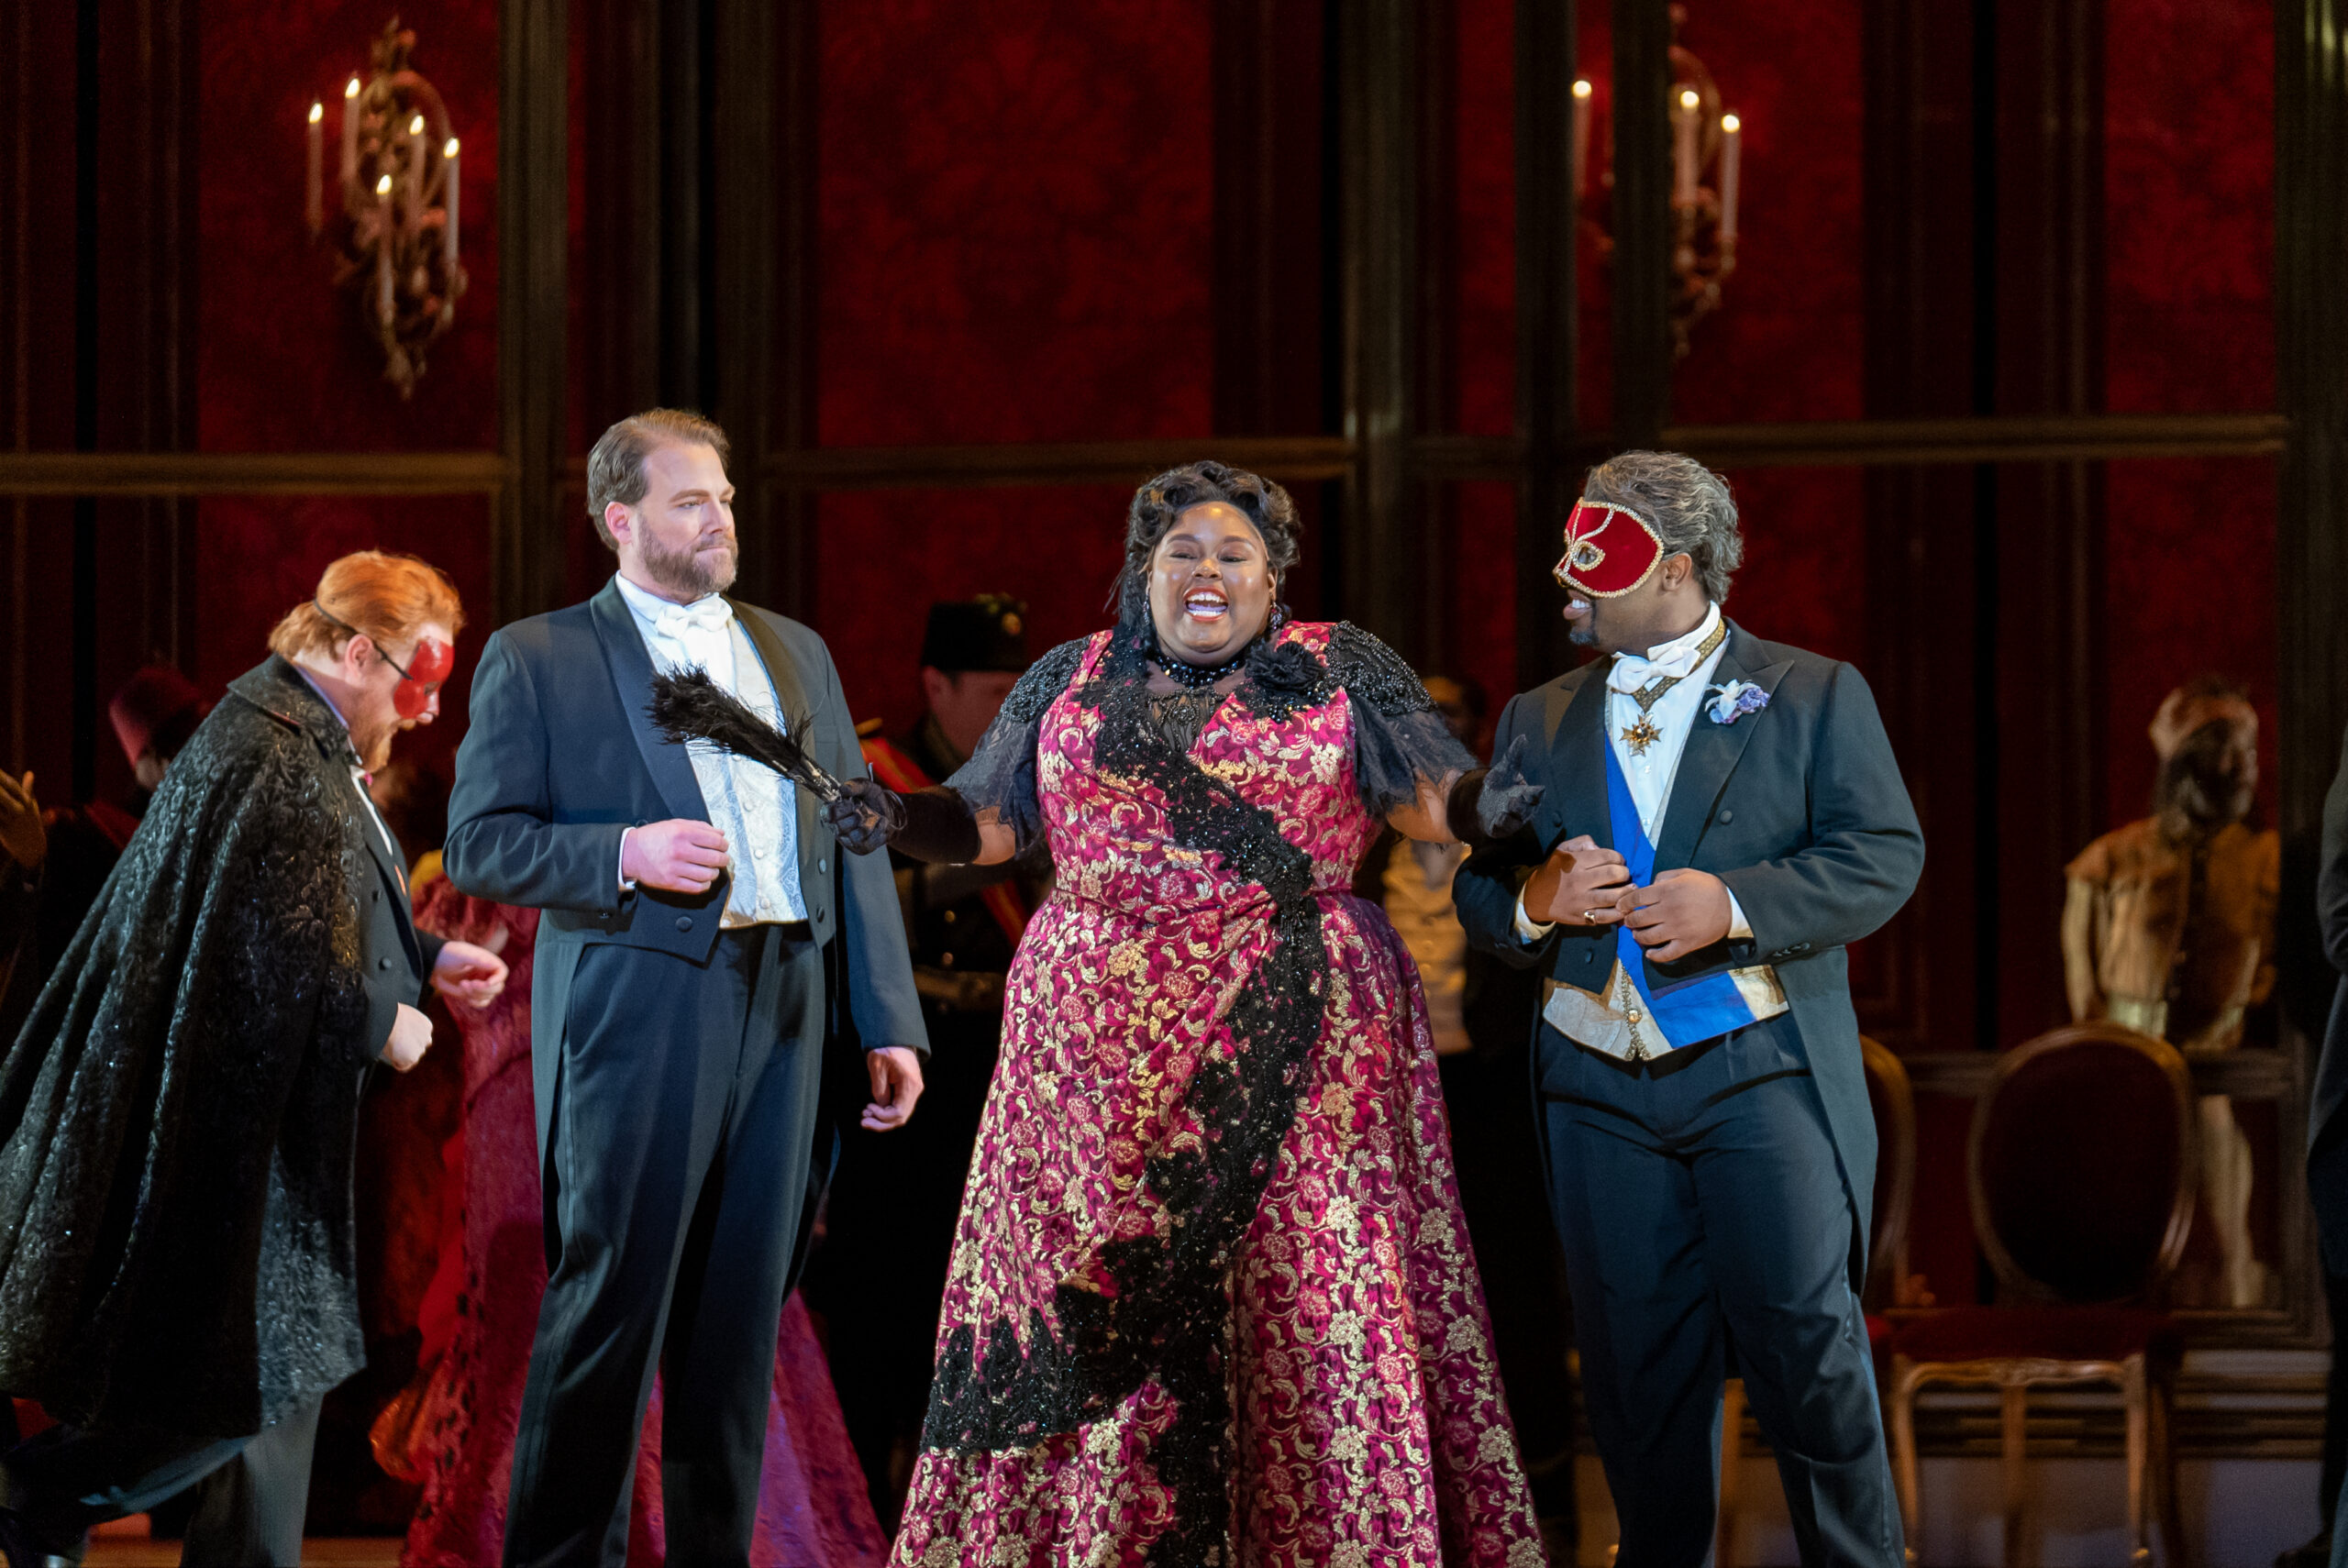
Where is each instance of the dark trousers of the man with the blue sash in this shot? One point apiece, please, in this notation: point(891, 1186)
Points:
point(1701, 1210)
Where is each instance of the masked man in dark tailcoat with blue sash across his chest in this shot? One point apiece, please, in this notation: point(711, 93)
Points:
point(1722, 818)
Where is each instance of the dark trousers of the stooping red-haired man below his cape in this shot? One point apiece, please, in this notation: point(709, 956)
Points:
point(252, 1492)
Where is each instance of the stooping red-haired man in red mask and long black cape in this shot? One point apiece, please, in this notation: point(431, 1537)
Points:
point(177, 1118)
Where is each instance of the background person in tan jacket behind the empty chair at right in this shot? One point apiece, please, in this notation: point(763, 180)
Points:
point(2171, 931)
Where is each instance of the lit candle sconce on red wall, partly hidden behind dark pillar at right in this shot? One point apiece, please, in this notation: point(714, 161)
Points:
point(1708, 154)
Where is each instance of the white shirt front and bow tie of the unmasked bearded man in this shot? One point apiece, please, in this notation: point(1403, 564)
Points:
point(755, 806)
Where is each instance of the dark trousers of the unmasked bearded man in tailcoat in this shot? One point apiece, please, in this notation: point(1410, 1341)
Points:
point(675, 1177)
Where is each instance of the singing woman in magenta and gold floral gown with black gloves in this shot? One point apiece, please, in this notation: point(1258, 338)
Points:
point(1213, 1297)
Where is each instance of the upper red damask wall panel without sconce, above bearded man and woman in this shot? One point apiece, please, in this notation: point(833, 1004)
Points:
point(1016, 222)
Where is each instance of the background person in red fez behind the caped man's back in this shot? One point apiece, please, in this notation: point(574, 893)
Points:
point(55, 872)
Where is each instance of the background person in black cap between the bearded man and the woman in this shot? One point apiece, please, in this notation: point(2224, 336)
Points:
point(889, 1222)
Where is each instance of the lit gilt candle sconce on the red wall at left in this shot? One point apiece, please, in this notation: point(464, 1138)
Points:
point(398, 231)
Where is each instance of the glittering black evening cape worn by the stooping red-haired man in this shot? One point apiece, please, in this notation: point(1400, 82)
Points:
point(180, 1114)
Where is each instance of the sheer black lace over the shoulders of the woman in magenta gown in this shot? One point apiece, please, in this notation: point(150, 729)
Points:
point(1398, 738)
